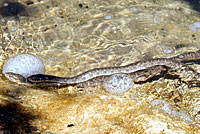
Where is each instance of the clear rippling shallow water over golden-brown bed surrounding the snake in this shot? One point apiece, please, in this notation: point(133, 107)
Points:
point(72, 37)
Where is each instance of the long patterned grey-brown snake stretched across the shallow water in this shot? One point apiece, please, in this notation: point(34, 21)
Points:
point(138, 71)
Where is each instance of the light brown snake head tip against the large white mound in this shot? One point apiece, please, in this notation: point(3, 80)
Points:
point(16, 78)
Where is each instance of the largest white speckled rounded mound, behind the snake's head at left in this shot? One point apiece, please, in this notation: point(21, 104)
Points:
point(24, 64)
